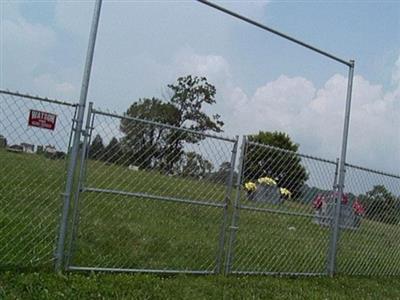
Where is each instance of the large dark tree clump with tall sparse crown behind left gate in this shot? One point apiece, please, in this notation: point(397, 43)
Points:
point(152, 146)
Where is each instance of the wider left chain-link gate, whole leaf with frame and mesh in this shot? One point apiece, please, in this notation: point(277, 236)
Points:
point(152, 197)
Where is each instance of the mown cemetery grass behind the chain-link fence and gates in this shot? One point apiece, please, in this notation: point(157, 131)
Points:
point(135, 232)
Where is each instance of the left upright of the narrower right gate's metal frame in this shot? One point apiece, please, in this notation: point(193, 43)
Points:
point(235, 214)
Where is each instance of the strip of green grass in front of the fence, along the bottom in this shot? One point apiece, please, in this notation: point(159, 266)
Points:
point(119, 286)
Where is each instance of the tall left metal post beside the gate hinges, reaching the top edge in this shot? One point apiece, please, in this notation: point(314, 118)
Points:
point(59, 255)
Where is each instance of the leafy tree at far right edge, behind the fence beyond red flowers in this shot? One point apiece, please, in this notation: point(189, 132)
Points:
point(381, 205)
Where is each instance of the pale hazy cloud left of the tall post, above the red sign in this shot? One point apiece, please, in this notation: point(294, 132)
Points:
point(27, 54)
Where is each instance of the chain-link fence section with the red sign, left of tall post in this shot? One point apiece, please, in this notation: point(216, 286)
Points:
point(35, 136)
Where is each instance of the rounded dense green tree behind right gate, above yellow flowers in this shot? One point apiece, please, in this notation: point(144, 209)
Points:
point(285, 167)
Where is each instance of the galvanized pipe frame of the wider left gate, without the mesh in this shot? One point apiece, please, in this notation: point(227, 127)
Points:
point(82, 188)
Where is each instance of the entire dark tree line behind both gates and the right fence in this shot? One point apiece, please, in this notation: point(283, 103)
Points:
point(153, 147)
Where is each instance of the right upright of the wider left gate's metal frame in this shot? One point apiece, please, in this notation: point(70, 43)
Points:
point(226, 205)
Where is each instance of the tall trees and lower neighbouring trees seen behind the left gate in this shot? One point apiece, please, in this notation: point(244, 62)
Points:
point(155, 147)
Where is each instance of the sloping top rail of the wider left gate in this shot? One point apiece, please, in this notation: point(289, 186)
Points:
point(115, 115)
